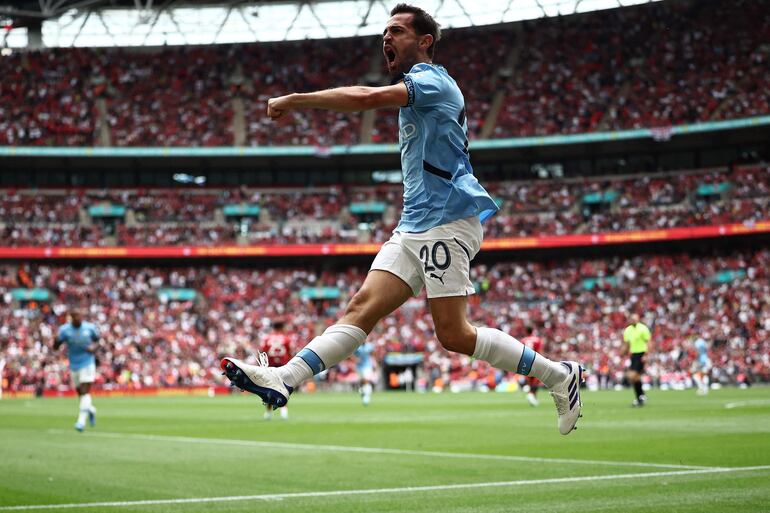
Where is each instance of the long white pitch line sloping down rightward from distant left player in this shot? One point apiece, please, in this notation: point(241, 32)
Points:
point(378, 450)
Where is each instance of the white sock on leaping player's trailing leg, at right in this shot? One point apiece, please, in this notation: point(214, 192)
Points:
point(505, 352)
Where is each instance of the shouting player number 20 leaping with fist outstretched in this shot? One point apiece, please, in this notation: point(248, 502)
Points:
point(438, 235)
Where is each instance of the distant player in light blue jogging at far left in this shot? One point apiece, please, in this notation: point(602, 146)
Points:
point(82, 340)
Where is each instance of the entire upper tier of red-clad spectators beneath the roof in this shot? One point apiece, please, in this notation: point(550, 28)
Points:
point(636, 67)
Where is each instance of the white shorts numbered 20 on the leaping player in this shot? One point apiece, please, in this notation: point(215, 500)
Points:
point(439, 259)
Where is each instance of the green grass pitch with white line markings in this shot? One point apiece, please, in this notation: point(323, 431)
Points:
point(431, 453)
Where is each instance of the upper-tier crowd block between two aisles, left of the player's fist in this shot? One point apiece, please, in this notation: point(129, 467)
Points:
point(173, 97)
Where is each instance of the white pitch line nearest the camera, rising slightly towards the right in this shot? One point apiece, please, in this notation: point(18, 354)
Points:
point(405, 489)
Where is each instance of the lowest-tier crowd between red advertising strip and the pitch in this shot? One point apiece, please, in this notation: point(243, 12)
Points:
point(578, 306)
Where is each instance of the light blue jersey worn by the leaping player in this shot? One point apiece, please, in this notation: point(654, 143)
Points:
point(439, 186)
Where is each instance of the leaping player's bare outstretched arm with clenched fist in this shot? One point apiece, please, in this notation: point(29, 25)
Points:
point(341, 99)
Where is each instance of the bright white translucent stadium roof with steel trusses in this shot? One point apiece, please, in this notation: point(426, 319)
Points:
point(172, 22)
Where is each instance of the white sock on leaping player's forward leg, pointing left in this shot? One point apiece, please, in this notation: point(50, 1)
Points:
point(323, 352)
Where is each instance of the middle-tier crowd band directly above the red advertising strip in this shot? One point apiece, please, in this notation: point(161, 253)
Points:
point(324, 215)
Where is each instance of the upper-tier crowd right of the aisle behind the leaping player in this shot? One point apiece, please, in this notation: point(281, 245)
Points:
point(648, 66)
